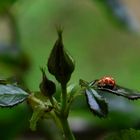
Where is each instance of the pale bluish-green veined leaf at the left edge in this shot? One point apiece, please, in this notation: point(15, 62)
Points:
point(11, 95)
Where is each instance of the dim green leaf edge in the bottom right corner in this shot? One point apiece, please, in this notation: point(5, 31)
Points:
point(130, 134)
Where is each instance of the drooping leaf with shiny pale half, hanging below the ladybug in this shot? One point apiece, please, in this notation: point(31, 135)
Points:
point(96, 103)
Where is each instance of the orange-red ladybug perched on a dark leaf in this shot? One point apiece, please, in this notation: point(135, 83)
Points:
point(106, 82)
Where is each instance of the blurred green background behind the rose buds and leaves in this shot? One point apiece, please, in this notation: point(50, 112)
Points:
point(103, 36)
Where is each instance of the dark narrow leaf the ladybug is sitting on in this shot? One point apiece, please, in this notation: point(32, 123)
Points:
point(122, 91)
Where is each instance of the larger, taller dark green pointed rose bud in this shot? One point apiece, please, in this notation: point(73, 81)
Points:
point(60, 63)
